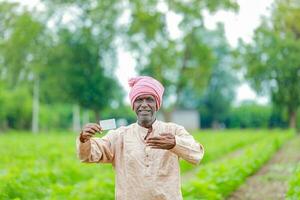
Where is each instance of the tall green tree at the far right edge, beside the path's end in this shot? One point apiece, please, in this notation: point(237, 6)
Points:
point(272, 61)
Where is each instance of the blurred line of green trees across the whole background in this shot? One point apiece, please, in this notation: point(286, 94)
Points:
point(58, 60)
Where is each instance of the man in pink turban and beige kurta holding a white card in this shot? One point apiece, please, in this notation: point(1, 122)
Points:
point(144, 154)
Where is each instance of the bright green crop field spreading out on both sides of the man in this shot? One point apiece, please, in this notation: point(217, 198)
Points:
point(45, 166)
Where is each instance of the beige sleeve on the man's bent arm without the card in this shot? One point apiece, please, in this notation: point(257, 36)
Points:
point(186, 147)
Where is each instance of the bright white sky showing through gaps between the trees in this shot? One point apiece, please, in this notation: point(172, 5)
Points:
point(237, 25)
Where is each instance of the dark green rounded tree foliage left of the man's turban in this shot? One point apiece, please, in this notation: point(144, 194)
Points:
point(81, 77)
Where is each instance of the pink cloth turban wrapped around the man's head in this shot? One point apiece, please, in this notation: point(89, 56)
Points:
point(142, 85)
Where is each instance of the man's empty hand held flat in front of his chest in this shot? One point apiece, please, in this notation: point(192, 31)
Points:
point(163, 141)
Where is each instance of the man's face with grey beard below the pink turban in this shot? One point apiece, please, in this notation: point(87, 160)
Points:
point(145, 108)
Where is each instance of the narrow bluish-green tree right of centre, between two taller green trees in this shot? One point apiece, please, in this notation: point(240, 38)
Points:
point(216, 102)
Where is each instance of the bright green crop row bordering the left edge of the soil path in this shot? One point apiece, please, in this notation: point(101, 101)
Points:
point(218, 179)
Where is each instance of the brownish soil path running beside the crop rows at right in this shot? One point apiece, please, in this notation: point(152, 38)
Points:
point(271, 181)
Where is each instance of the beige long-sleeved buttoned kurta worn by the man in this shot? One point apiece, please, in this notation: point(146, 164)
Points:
point(143, 173)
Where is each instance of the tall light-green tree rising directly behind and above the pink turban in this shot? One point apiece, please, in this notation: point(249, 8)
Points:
point(179, 62)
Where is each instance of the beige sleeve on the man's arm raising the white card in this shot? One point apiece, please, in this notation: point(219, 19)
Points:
point(97, 149)
